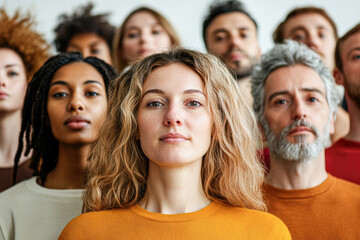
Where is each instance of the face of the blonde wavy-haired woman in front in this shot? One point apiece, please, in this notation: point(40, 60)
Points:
point(173, 117)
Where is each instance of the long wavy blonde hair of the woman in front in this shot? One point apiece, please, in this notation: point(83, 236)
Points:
point(231, 170)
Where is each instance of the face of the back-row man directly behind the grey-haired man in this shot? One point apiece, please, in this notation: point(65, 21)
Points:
point(316, 32)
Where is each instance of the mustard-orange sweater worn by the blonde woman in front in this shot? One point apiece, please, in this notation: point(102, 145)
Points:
point(216, 221)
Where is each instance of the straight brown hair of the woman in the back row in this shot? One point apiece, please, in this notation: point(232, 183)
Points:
point(119, 62)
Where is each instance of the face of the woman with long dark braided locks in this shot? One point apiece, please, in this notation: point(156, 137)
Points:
point(76, 103)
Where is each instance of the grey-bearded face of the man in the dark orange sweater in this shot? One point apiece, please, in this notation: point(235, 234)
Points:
point(296, 113)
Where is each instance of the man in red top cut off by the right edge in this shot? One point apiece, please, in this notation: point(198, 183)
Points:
point(343, 158)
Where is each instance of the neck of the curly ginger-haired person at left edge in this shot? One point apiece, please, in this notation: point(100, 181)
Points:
point(10, 124)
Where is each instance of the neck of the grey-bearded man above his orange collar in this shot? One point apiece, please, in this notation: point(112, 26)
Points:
point(291, 175)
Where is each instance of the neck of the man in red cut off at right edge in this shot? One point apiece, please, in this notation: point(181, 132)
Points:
point(354, 113)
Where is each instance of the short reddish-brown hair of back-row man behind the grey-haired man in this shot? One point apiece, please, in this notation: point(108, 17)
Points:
point(278, 35)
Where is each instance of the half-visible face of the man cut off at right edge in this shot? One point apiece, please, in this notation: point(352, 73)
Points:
point(350, 57)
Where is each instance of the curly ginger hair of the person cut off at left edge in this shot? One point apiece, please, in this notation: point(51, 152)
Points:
point(17, 33)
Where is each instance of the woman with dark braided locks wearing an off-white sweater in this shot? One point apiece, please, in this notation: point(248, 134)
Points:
point(64, 108)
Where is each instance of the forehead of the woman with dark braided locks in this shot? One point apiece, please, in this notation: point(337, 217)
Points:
point(77, 72)
